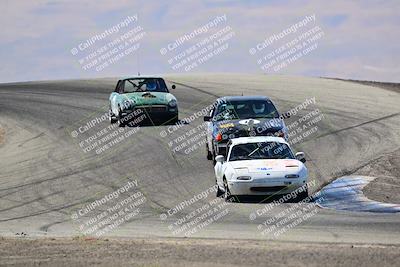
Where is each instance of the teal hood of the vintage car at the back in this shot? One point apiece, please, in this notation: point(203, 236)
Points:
point(150, 98)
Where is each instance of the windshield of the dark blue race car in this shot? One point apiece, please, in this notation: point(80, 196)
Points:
point(246, 109)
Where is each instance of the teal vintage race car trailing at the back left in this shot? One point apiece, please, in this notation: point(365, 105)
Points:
point(142, 96)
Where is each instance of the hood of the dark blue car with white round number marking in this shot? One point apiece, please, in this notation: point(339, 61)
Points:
point(259, 125)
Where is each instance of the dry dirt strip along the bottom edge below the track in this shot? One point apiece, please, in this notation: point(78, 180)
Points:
point(189, 252)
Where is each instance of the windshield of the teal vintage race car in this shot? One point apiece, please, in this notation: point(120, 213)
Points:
point(145, 85)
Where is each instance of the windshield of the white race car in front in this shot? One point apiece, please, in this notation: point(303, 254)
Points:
point(265, 150)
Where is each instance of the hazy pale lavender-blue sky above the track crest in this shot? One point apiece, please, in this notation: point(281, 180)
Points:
point(360, 38)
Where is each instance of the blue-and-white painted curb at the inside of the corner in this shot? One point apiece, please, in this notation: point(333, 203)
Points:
point(346, 193)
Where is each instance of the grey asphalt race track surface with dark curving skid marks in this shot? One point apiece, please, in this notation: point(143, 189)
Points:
point(46, 177)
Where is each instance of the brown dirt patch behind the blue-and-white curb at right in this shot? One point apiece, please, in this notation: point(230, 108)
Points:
point(386, 187)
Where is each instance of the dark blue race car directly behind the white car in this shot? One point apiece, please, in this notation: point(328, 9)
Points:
point(241, 116)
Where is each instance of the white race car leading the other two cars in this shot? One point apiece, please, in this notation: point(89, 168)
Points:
point(261, 165)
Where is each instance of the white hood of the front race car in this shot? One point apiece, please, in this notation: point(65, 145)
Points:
point(267, 165)
